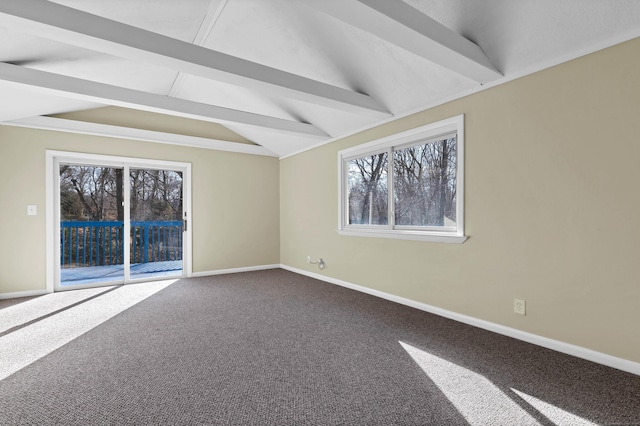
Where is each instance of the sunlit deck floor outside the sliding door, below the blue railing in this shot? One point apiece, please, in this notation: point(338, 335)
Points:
point(96, 274)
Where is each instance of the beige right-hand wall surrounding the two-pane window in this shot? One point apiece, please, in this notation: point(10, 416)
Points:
point(552, 204)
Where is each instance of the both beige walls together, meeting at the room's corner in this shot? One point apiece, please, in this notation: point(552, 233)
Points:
point(551, 201)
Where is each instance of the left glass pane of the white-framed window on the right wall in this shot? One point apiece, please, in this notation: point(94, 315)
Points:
point(367, 188)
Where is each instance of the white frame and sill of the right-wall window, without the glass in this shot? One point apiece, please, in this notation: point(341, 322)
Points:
point(388, 144)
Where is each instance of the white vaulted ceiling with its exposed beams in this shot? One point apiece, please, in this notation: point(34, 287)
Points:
point(285, 74)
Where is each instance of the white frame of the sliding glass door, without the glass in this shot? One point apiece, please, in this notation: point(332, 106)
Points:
point(52, 173)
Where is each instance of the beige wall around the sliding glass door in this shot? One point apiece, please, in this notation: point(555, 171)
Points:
point(235, 202)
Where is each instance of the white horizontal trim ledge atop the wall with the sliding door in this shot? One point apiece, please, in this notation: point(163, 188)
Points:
point(121, 132)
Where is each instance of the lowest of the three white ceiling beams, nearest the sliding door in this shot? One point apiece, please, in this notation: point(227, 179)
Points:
point(75, 88)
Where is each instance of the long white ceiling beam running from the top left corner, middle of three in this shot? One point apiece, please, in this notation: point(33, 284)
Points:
point(64, 24)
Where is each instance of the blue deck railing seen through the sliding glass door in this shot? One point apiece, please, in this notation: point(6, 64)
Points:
point(95, 243)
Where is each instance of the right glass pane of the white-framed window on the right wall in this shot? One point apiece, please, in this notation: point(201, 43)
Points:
point(425, 184)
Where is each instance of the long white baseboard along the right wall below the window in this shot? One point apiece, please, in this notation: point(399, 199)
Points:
point(556, 345)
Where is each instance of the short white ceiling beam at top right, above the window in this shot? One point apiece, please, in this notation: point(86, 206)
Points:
point(408, 28)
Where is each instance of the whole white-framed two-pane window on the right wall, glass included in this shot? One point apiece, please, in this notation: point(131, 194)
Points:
point(407, 186)
